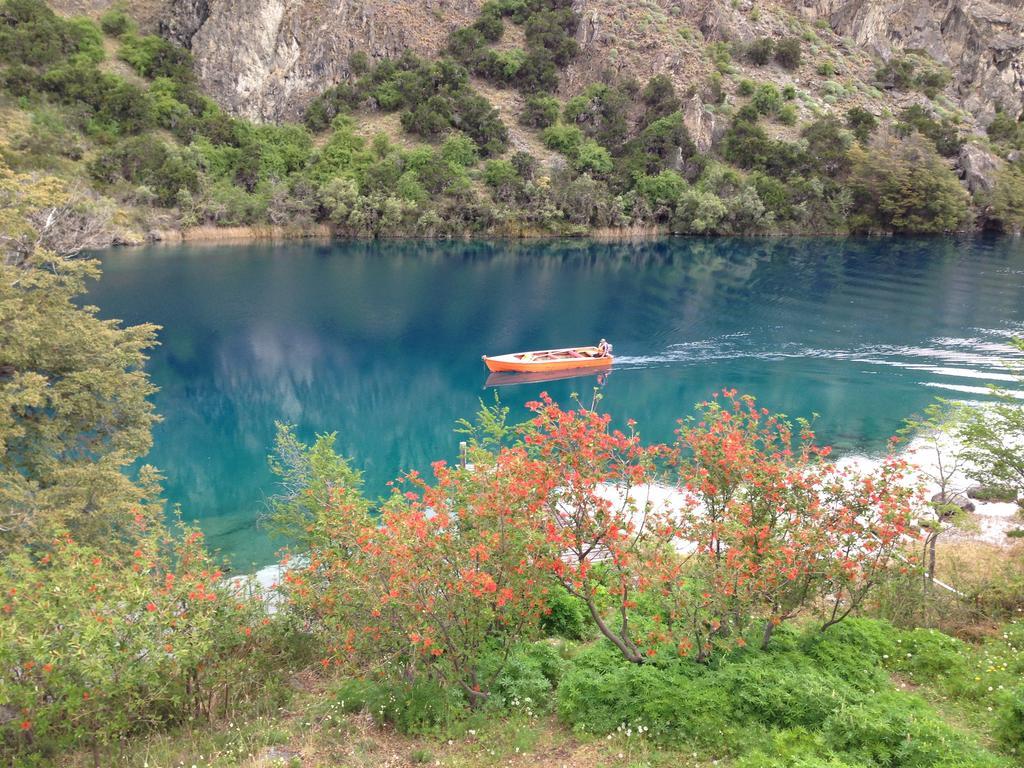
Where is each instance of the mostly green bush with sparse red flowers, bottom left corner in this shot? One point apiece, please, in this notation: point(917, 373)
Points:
point(94, 649)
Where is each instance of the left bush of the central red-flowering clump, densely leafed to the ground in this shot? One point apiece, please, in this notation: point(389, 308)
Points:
point(448, 574)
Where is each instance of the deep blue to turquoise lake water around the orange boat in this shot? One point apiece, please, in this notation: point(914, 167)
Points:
point(382, 342)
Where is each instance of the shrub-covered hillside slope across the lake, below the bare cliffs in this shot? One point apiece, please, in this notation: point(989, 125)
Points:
point(122, 115)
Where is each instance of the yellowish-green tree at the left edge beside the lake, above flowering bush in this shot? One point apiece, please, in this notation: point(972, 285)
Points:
point(74, 413)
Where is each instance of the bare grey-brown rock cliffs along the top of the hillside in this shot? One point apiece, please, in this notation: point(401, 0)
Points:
point(267, 59)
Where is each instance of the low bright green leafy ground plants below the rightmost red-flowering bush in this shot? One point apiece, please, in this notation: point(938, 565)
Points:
point(818, 700)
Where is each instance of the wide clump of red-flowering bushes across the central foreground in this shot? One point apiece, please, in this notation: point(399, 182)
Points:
point(755, 527)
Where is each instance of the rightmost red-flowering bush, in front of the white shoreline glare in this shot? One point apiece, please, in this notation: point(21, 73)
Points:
point(777, 528)
